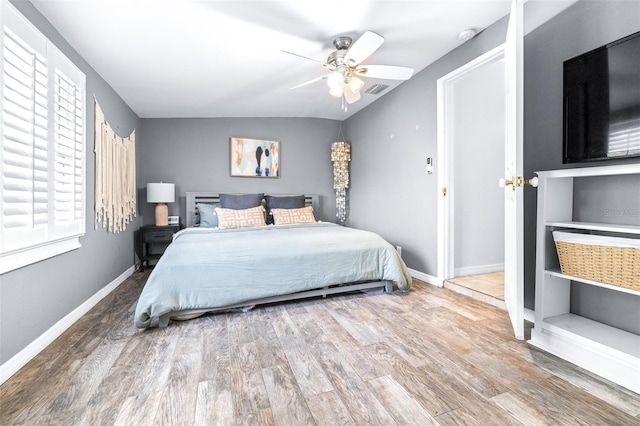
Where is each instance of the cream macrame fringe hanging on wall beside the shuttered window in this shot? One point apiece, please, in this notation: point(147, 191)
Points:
point(115, 192)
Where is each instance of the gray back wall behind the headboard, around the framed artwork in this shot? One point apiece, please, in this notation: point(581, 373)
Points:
point(194, 154)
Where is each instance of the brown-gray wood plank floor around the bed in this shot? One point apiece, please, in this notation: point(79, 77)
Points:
point(430, 356)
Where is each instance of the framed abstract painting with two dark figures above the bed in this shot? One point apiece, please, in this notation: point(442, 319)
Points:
point(255, 158)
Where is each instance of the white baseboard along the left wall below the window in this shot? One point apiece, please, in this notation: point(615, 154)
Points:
point(21, 359)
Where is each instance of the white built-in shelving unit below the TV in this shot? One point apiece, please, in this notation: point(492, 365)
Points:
point(604, 350)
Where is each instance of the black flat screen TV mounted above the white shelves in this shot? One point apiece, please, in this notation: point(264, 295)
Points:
point(602, 103)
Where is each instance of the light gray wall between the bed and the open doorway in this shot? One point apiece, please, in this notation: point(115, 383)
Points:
point(391, 193)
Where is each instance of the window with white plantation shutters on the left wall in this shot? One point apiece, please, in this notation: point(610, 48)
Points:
point(42, 159)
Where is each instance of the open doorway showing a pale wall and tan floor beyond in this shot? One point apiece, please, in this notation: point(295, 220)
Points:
point(471, 151)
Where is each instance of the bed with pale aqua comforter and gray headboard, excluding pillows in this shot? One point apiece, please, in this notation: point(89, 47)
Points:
point(207, 269)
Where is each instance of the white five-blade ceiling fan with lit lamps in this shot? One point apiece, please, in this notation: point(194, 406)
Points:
point(346, 67)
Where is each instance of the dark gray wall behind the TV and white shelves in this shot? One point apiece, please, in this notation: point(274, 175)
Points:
point(582, 27)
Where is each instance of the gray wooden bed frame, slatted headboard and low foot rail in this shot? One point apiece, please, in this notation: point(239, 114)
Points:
point(192, 198)
